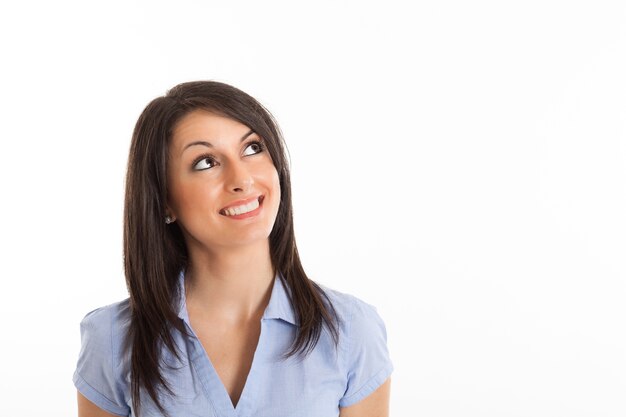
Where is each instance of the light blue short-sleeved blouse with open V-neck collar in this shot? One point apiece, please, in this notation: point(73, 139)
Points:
point(328, 378)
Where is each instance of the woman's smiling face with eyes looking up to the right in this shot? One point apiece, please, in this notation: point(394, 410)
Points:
point(223, 189)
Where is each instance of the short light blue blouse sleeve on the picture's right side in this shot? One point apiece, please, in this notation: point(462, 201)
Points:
point(367, 359)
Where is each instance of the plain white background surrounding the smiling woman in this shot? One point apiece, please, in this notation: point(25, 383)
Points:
point(459, 165)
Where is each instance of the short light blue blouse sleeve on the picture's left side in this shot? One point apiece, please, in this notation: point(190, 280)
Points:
point(97, 374)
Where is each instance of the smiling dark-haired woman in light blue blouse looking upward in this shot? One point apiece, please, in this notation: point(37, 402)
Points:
point(222, 319)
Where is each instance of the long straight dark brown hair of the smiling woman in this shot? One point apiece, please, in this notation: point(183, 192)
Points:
point(155, 252)
